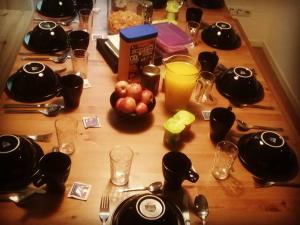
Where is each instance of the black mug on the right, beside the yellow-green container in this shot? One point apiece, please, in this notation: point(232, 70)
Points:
point(220, 121)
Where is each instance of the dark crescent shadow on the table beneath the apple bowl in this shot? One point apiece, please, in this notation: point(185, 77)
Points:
point(130, 125)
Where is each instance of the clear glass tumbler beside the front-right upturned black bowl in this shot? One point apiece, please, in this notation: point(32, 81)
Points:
point(225, 155)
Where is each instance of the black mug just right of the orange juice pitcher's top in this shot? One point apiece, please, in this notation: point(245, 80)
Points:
point(208, 61)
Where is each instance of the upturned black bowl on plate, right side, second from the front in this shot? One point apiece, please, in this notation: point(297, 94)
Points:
point(240, 86)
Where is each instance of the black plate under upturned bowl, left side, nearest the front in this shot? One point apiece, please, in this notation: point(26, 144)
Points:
point(17, 184)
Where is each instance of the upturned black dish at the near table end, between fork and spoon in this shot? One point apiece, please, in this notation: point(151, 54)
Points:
point(126, 213)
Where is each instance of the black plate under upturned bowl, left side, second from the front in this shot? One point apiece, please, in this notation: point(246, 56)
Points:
point(10, 91)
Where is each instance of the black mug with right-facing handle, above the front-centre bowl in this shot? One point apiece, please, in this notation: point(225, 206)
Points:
point(177, 167)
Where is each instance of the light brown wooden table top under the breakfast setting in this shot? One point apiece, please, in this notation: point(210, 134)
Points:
point(233, 201)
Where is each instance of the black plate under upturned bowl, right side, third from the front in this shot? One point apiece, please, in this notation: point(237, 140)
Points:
point(207, 37)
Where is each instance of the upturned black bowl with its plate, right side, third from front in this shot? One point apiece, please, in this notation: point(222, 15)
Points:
point(221, 35)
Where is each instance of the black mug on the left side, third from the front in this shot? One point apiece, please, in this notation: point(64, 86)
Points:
point(79, 39)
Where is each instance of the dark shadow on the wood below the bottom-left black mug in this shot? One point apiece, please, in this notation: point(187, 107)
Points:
point(41, 205)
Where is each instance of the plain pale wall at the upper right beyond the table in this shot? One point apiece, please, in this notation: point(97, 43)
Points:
point(275, 26)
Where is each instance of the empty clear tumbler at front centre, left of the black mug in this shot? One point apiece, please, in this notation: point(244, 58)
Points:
point(120, 163)
